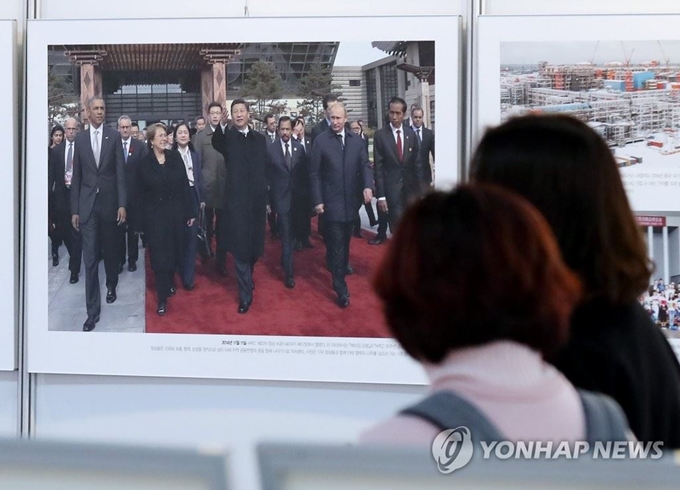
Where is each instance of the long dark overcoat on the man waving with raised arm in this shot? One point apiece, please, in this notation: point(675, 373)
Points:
point(245, 201)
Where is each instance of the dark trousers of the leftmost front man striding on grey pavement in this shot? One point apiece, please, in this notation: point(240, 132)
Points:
point(99, 235)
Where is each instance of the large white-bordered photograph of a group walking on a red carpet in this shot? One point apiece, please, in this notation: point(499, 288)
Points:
point(132, 77)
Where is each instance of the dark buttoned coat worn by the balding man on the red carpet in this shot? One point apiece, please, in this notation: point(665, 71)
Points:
point(338, 177)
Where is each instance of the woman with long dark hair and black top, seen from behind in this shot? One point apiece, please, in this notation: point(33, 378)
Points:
point(567, 171)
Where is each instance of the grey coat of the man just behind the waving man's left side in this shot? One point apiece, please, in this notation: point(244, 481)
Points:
point(212, 167)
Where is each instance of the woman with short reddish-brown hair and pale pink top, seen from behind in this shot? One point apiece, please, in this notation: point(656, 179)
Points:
point(473, 287)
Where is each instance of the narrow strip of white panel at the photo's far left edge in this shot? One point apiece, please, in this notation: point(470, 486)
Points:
point(8, 198)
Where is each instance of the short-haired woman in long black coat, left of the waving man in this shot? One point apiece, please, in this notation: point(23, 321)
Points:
point(167, 208)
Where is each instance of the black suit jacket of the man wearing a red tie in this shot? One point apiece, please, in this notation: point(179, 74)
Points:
point(395, 178)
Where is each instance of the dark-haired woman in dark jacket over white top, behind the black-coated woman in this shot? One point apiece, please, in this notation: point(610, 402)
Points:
point(192, 165)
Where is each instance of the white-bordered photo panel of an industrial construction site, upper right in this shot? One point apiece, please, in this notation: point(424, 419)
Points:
point(616, 44)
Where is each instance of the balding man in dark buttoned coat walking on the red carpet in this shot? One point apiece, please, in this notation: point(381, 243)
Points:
point(339, 170)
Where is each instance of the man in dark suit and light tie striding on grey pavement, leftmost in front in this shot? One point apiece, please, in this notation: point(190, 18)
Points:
point(98, 204)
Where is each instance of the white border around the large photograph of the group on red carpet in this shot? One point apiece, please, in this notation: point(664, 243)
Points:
point(215, 356)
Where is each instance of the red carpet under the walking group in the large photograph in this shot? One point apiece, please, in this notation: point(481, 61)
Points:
point(309, 309)
